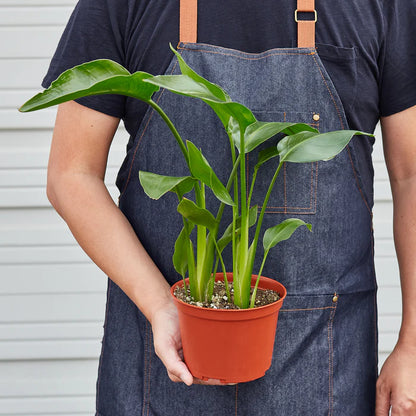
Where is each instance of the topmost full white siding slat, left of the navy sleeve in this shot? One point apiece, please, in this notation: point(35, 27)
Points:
point(54, 15)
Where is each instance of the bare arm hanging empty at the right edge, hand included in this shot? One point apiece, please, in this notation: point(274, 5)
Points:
point(396, 386)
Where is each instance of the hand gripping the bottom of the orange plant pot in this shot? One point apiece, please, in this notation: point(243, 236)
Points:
point(168, 347)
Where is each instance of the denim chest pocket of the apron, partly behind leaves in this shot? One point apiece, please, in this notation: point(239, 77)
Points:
point(295, 189)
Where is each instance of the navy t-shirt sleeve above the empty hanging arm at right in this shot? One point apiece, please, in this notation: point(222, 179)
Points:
point(398, 69)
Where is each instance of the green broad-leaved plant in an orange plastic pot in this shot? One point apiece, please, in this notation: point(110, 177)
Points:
point(207, 332)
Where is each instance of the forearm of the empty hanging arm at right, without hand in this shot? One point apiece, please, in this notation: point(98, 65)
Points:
point(404, 196)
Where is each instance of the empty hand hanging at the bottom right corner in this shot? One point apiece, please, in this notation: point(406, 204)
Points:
point(396, 385)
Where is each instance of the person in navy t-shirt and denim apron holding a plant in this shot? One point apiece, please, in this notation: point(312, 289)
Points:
point(359, 69)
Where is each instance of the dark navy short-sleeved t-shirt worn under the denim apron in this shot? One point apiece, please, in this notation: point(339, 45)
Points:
point(367, 46)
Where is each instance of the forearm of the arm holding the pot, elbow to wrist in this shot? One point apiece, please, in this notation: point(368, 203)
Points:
point(108, 238)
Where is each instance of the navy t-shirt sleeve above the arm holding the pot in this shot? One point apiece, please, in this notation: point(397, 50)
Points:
point(94, 31)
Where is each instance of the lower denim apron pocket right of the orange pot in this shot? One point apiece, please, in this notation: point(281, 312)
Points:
point(301, 375)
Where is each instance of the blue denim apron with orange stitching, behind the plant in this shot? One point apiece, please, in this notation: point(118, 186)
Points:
point(325, 355)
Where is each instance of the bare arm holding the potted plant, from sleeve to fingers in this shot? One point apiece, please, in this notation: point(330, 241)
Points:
point(77, 163)
